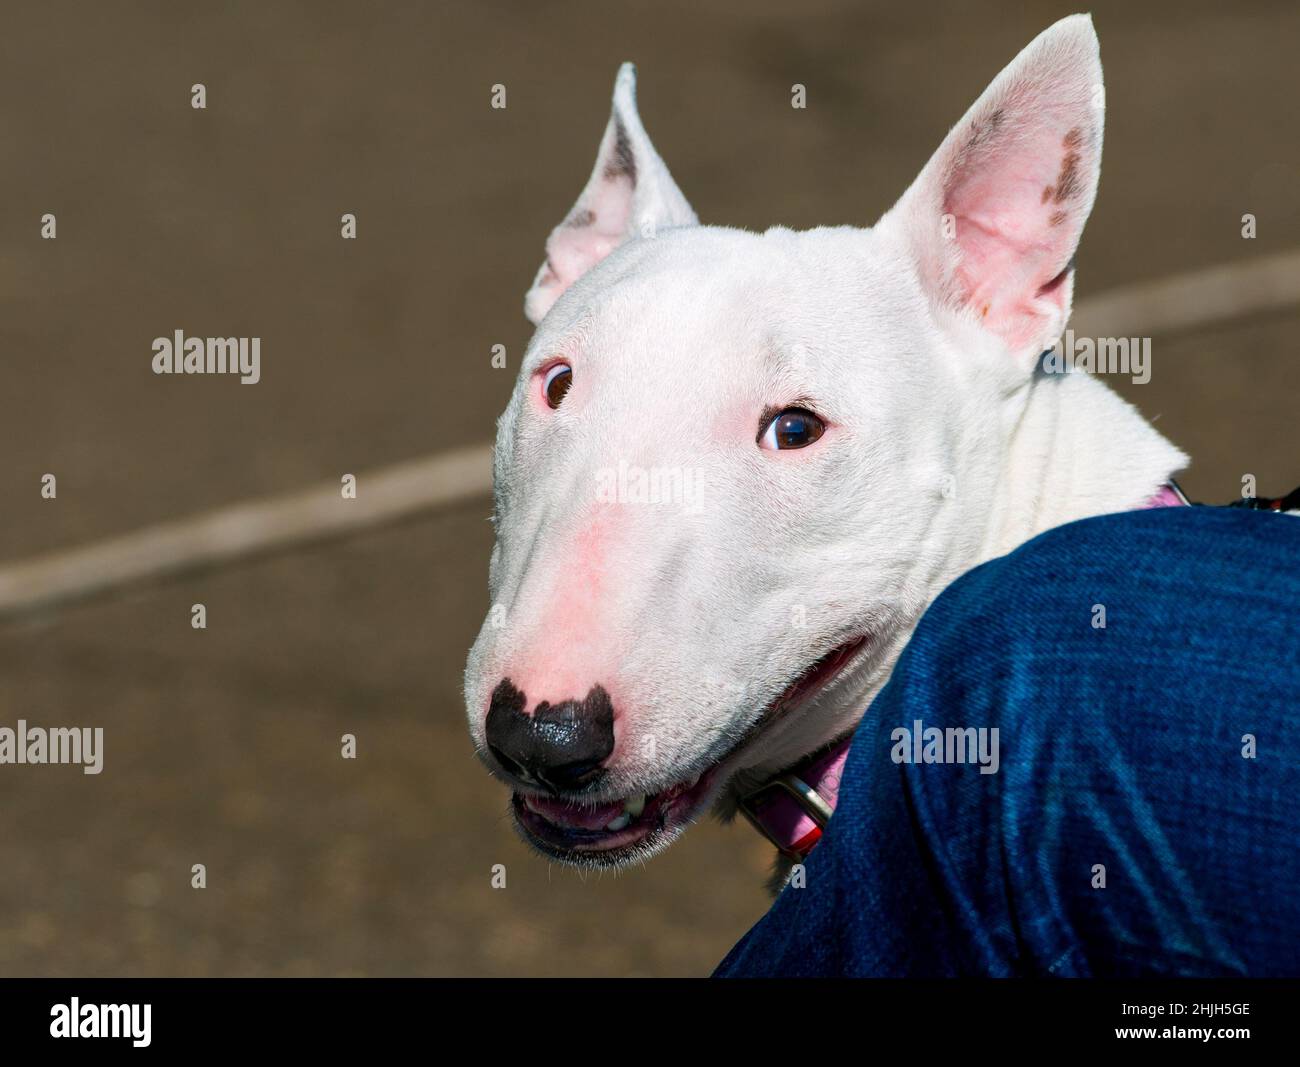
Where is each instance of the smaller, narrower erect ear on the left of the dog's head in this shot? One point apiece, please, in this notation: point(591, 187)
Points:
point(631, 194)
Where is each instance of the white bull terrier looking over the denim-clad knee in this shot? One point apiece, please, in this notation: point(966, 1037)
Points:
point(736, 467)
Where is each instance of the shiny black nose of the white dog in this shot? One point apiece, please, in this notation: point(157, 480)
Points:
point(558, 747)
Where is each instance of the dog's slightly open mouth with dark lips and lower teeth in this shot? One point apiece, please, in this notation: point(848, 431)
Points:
point(613, 832)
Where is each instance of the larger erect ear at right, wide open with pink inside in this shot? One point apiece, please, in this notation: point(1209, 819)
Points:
point(996, 215)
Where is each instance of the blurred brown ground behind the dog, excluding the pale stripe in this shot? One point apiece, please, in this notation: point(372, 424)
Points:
point(223, 745)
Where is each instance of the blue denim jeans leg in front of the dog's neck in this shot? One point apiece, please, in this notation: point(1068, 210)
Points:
point(1120, 747)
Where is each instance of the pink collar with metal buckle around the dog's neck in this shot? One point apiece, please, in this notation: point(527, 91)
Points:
point(792, 809)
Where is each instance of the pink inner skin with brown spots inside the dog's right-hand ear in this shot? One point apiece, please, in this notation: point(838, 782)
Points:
point(1020, 199)
